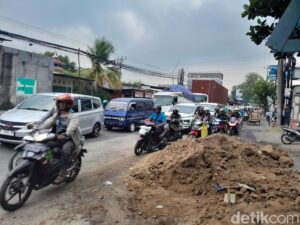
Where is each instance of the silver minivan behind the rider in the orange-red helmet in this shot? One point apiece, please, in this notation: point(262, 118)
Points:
point(39, 107)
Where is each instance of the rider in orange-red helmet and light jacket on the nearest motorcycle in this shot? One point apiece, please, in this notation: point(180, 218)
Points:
point(66, 127)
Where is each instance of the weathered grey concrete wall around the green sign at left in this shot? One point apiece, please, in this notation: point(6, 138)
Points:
point(15, 64)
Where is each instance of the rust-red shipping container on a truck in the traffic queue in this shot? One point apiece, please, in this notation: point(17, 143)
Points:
point(215, 91)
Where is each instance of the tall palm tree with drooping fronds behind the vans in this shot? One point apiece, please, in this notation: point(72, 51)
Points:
point(103, 48)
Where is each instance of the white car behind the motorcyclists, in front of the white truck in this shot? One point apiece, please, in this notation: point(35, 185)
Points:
point(187, 112)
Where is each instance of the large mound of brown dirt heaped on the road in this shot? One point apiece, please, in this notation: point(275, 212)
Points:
point(184, 184)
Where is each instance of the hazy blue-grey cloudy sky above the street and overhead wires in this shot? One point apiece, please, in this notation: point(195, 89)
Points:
point(160, 35)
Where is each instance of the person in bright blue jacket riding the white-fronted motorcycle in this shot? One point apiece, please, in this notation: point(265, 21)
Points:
point(159, 118)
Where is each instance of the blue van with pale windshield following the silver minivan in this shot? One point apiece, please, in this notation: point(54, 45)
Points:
point(127, 113)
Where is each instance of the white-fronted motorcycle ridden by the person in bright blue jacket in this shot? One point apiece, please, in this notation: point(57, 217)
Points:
point(147, 141)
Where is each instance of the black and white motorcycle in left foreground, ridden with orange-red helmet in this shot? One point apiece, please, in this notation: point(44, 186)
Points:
point(38, 168)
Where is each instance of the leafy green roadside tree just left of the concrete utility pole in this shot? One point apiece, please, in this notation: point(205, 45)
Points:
point(262, 90)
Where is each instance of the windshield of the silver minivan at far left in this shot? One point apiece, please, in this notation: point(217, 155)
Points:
point(38, 103)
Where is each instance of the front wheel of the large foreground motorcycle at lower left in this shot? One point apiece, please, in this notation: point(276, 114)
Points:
point(14, 187)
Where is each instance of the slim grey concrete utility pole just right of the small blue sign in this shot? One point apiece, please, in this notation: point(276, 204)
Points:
point(281, 62)
